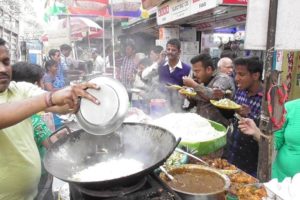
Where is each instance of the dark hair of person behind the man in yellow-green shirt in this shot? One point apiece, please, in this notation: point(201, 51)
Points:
point(23, 71)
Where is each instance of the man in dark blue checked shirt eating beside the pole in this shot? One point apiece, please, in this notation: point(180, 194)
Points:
point(242, 150)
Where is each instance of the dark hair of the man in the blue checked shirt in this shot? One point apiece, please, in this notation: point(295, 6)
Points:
point(253, 65)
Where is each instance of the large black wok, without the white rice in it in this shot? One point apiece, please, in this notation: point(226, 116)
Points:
point(148, 144)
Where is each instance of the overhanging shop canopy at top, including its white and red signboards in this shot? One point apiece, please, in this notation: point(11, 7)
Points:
point(204, 14)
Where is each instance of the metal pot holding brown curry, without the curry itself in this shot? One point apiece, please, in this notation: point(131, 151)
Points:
point(218, 195)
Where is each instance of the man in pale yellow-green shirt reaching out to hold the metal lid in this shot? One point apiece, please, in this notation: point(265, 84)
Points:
point(20, 165)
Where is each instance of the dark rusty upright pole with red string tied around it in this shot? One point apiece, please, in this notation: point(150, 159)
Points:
point(265, 145)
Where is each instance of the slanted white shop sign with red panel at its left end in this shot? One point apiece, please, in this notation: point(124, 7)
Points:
point(178, 9)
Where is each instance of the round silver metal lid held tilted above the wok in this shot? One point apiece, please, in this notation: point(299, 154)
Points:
point(109, 115)
